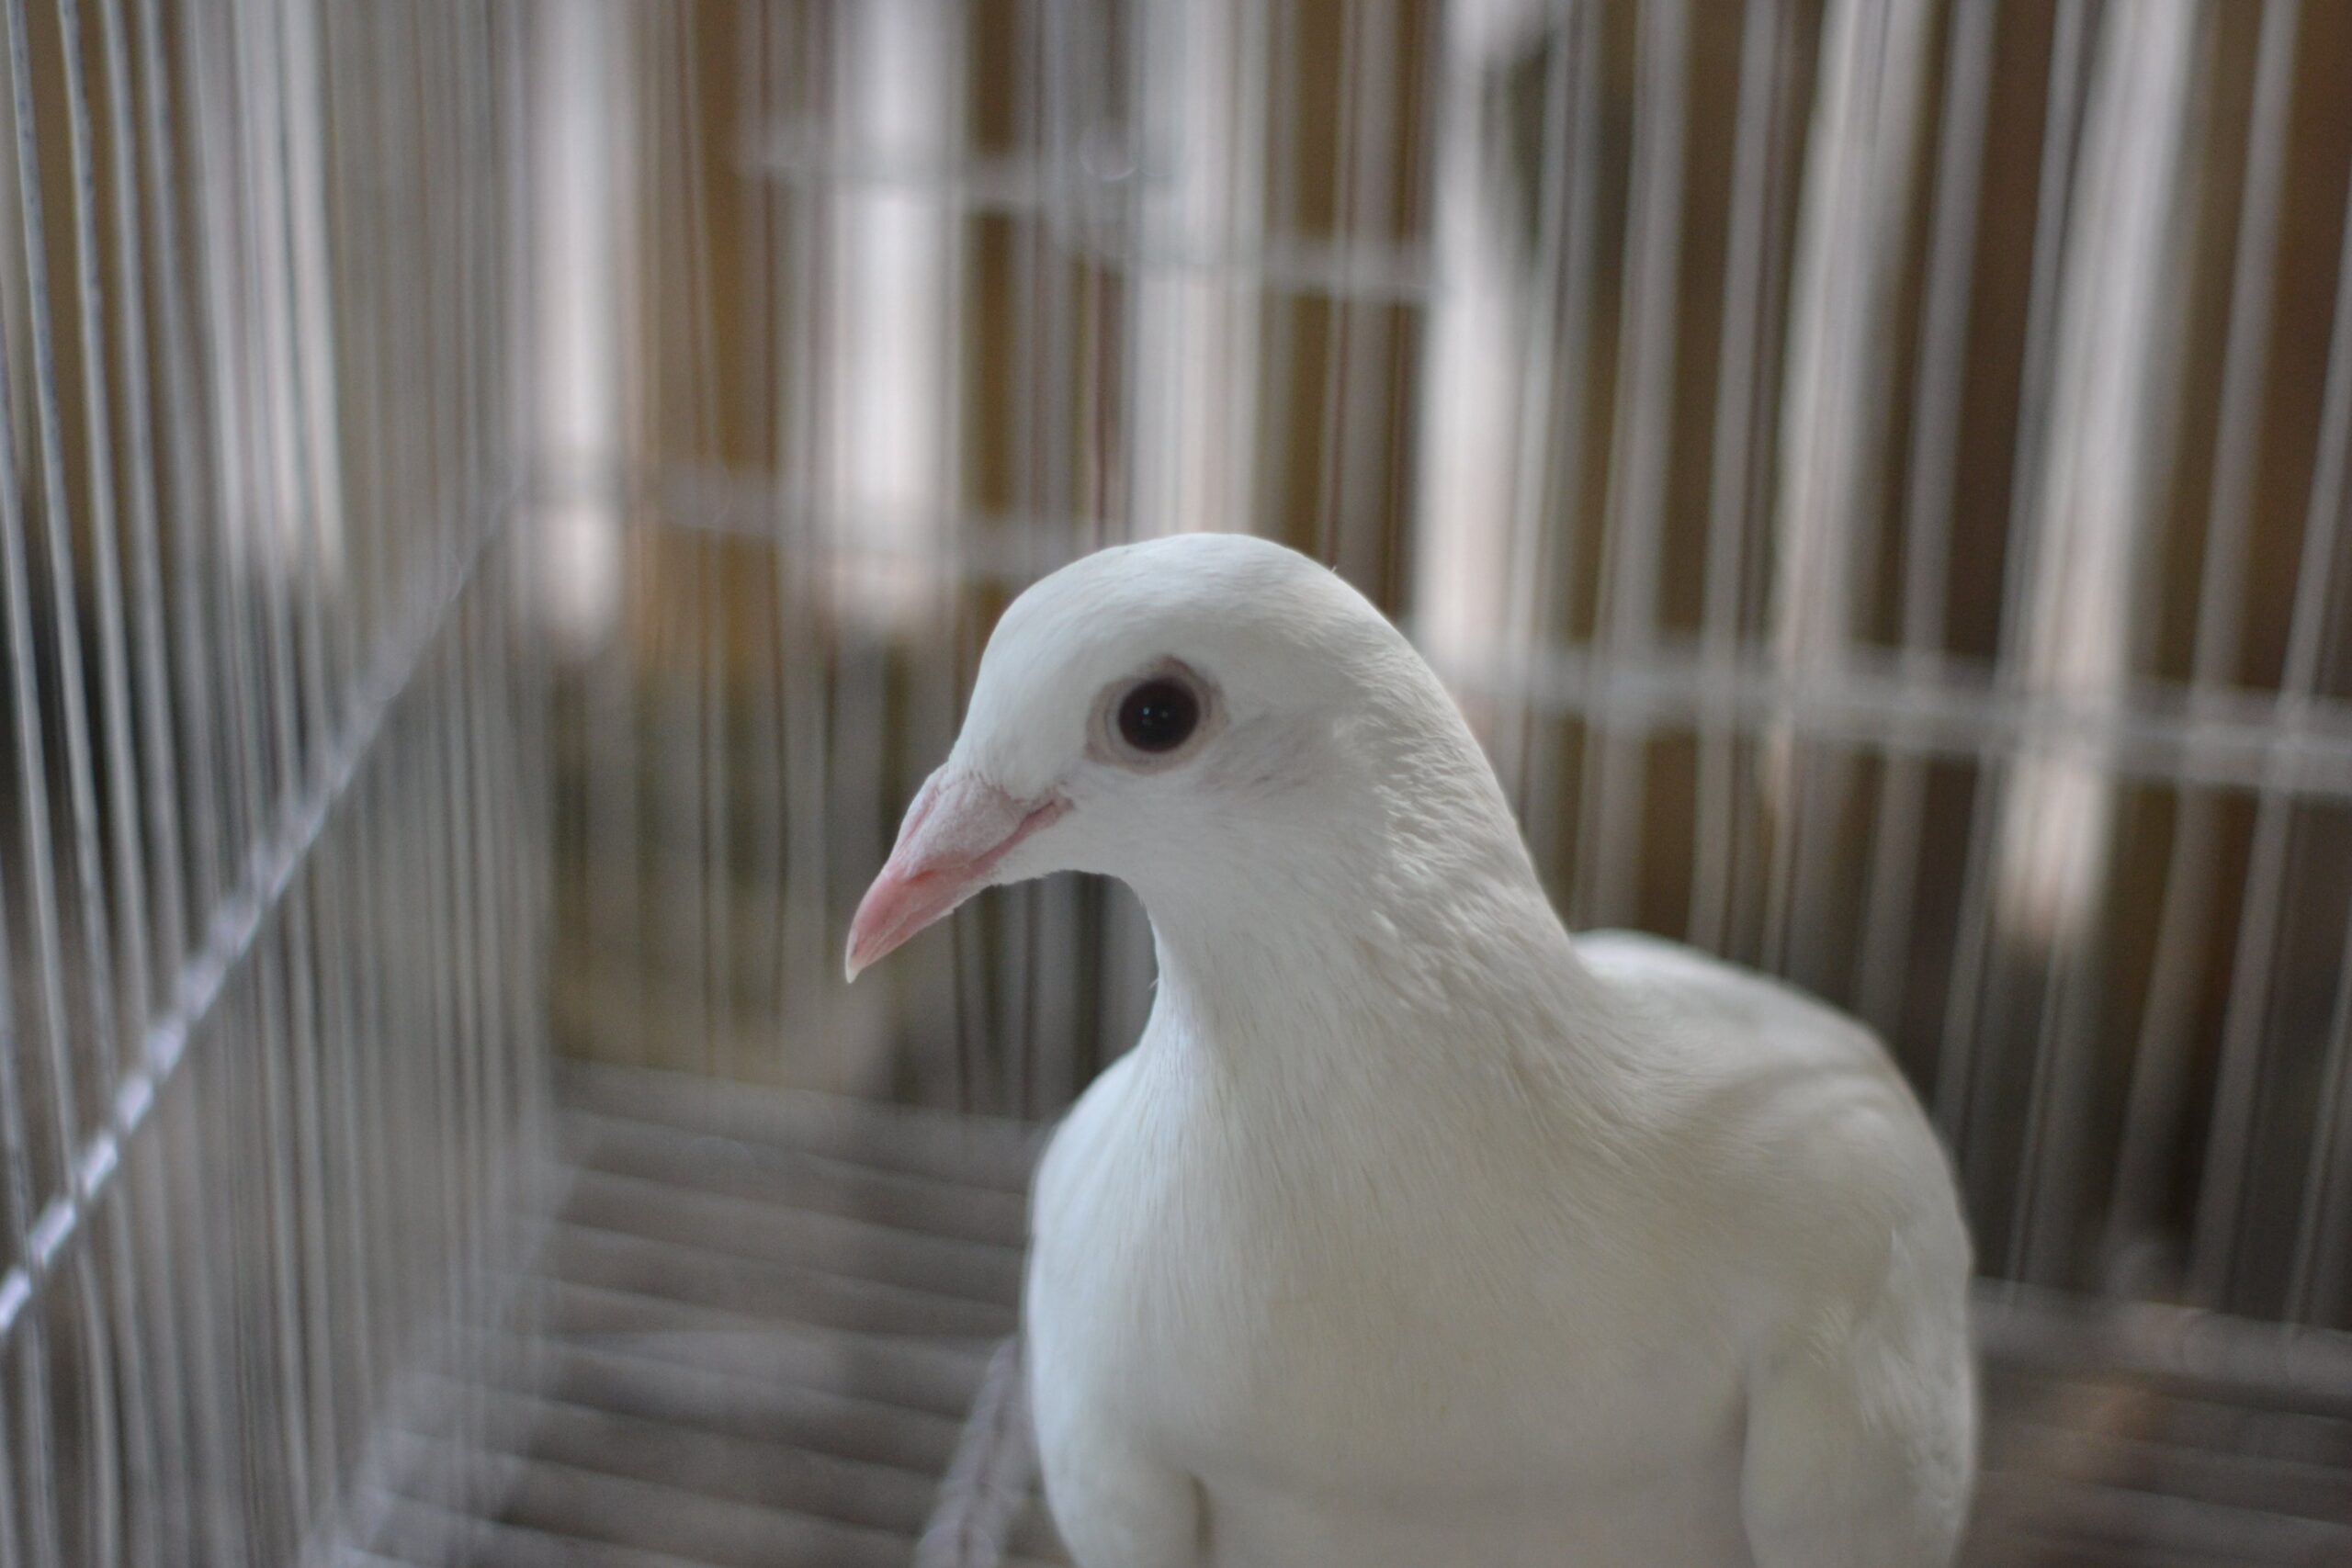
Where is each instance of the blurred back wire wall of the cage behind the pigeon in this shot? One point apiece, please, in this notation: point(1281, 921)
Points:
point(1873, 471)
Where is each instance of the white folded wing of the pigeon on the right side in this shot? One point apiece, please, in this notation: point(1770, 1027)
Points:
point(1862, 1405)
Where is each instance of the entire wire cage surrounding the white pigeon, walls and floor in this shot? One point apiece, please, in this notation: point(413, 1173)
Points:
point(500, 507)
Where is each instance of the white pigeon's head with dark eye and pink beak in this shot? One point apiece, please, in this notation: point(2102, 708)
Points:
point(1194, 716)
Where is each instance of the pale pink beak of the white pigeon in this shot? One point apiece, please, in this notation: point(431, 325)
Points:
point(954, 838)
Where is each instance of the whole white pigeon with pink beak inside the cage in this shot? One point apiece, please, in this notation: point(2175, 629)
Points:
point(1415, 1233)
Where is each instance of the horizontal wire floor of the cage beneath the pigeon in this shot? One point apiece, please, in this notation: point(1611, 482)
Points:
point(756, 1325)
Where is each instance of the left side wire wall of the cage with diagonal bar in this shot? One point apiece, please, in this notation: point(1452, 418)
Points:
point(274, 843)
